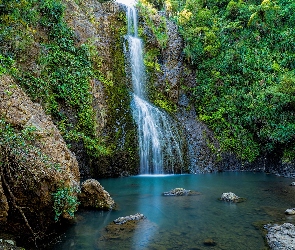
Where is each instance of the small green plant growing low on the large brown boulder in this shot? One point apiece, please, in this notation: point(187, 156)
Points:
point(65, 201)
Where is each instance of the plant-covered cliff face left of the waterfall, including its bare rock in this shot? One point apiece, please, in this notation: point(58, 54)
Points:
point(57, 70)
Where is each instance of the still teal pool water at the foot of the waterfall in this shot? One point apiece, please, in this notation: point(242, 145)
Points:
point(186, 222)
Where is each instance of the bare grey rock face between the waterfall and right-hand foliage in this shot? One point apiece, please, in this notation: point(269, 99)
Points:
point(173, 74)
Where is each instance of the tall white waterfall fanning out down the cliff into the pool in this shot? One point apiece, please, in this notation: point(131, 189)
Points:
point(160, 144)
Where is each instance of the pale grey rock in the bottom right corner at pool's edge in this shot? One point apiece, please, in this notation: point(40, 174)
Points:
point(280, 237)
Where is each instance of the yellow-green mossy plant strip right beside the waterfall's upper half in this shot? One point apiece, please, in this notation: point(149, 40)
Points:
point(155, 33)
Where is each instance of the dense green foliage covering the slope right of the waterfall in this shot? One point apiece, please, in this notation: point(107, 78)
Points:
point(243, 53)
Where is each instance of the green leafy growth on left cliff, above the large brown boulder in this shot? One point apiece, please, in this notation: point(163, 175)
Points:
point(62, 79)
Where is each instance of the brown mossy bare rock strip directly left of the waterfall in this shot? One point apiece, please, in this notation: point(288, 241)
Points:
point(102, 26)
